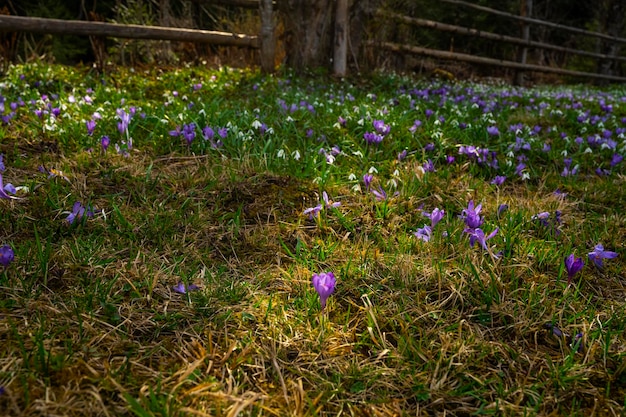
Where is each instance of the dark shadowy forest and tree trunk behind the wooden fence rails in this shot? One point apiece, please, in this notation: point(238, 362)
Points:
point(298, 20)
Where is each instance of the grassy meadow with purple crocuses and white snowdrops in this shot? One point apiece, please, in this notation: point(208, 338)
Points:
point(216, 241)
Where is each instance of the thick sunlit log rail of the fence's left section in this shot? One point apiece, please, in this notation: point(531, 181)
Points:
point(115, 30)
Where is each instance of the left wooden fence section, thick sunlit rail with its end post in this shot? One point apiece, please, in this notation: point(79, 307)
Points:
point(265, 40)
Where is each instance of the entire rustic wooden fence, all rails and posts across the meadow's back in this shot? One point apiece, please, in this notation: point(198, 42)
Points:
point(266, 42)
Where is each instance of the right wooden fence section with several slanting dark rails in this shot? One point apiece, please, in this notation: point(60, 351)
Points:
point(524, 42)
